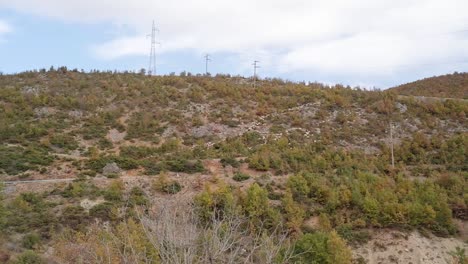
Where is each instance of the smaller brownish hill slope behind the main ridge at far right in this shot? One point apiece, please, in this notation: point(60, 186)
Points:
point(446, 86)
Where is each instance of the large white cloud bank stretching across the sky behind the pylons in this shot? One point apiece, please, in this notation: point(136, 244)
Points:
point(366, 37)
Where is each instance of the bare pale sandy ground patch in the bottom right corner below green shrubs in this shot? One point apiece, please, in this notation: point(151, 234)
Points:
point(390, 246)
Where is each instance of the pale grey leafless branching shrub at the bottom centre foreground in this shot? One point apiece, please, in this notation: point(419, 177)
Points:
point(175, 230)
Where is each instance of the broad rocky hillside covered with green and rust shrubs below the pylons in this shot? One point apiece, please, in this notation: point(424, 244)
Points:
point(128, 168)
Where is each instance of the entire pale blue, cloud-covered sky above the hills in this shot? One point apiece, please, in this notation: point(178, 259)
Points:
point(372, 43)
